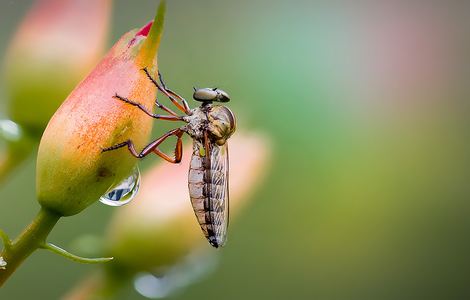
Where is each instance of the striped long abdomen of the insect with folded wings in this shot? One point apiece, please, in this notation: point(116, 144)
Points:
point(208, 189)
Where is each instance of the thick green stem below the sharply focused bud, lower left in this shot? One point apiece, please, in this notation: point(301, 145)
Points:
point(32, 238)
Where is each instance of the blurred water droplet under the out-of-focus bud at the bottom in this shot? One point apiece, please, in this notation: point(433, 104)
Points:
point(175, 279)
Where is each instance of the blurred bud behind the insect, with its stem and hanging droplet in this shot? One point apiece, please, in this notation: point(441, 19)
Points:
point(156, 241)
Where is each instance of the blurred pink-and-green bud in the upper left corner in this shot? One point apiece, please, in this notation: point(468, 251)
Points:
point(55, 46)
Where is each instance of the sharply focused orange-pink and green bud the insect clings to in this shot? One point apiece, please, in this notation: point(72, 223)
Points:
point(72, 170)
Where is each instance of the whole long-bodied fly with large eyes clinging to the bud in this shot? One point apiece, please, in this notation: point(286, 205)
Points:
point(210, 126)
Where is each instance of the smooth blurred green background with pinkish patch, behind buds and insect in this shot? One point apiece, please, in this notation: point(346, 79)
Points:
point(367, 105)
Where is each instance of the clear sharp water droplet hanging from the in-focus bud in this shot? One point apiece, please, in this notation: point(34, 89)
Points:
point(124, 192)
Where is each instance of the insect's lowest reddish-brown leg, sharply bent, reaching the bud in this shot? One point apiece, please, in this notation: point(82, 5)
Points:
point(153, 147)
